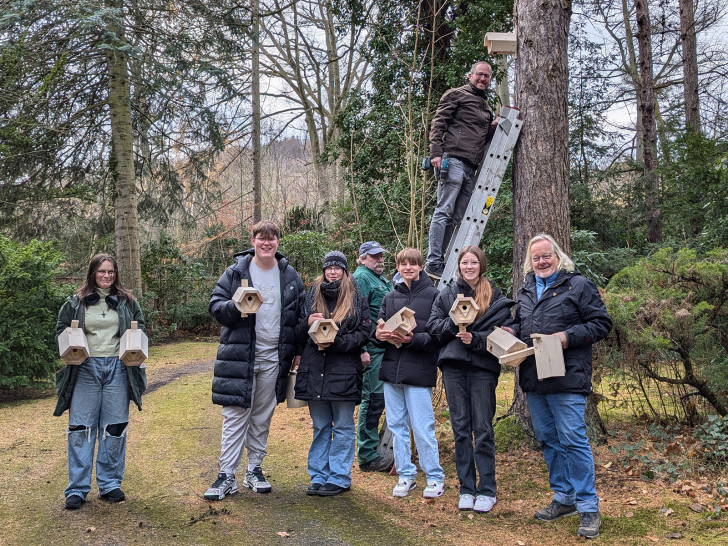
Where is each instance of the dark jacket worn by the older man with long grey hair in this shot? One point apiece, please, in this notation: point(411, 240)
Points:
point(571, 305)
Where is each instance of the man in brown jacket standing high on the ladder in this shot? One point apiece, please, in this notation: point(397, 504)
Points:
point(462, 127)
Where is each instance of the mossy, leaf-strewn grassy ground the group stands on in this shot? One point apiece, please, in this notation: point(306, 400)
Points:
point(172, 458)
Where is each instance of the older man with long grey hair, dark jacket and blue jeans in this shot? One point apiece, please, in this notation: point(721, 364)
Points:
point(556, 299)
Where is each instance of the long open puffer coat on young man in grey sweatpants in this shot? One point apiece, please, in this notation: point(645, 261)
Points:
point(232, 384)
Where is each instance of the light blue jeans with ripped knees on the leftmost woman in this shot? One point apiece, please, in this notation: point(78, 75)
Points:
point(100, 399)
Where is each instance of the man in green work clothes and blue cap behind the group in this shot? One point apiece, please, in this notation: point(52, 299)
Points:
point(373, 286)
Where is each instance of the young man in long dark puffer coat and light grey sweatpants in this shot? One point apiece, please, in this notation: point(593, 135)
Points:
point(255, 355)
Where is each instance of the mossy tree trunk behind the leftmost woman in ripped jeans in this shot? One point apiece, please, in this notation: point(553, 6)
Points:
point(126, 223)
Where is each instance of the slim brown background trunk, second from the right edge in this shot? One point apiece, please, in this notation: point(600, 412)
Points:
point(649, 124)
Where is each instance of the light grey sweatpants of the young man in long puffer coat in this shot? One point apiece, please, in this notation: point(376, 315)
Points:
point(249, 427)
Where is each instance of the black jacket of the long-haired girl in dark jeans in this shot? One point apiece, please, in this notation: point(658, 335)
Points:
point(454, 352)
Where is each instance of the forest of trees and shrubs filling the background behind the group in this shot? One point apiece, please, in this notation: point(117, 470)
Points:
point(159, 131)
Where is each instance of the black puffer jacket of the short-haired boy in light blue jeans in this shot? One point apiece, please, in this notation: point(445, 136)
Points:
point(416, 362)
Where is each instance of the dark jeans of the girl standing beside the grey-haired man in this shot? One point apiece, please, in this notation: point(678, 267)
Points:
point(471, 399)
